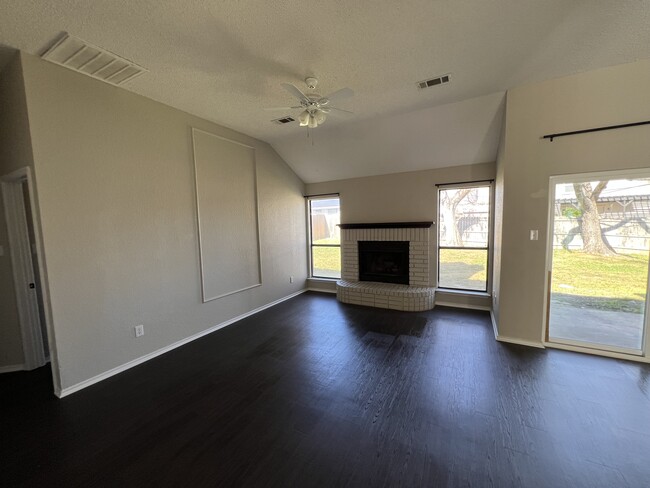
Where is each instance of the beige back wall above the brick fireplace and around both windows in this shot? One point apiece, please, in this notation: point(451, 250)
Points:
point(404, 197)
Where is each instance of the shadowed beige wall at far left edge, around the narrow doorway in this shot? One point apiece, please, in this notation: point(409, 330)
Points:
point(15, 152)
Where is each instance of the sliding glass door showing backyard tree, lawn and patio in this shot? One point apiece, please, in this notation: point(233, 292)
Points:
point(598, 261)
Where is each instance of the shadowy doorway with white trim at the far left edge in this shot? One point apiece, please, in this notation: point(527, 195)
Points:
point(23, 236)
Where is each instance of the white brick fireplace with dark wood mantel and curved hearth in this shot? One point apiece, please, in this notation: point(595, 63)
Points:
point(417, 295)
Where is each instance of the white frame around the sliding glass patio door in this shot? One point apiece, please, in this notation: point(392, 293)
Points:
point(644, 354)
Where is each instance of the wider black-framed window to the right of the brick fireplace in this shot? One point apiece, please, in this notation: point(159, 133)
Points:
point(464, 236)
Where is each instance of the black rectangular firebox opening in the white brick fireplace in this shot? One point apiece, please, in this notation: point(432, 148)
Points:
point(384, 261)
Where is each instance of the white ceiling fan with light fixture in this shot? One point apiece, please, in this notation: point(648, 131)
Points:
point(315, 108)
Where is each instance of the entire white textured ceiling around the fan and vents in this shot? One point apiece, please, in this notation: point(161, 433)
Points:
point(225, 60)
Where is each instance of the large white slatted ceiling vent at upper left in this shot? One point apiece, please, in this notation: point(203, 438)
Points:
point(78, 55)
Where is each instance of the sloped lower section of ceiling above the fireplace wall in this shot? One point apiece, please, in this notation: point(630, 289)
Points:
point(453, 134)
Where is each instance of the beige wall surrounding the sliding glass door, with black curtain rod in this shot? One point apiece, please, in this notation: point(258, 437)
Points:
point(597, 98)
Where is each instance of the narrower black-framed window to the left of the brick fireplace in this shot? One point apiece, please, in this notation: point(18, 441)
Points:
point(325, 236)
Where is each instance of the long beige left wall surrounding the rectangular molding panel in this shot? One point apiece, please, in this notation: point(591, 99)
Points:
point(115, 183)
